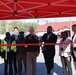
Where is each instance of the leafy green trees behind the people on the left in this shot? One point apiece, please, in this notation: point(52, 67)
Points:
point(21, 25)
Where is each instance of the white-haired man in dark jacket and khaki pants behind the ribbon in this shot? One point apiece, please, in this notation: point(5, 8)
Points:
point(32, 51)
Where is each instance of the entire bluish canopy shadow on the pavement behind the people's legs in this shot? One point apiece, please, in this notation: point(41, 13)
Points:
point(41, 69)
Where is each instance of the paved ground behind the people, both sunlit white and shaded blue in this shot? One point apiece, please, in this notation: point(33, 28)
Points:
point(41, 68)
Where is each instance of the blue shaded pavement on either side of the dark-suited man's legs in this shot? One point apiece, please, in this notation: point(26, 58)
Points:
point(41, 69)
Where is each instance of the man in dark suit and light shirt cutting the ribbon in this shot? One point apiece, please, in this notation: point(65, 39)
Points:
point(49, 50)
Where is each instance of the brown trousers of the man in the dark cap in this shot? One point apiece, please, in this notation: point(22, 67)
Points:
point(20, 58)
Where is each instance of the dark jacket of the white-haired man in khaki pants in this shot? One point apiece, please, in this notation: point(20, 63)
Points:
point(32, 40)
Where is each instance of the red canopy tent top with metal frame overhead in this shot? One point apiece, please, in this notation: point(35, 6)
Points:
point(30, 9)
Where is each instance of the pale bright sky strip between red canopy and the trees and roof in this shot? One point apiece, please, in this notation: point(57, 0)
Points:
point(42, 21)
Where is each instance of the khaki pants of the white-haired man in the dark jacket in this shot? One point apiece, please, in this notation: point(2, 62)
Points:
point(31, 62)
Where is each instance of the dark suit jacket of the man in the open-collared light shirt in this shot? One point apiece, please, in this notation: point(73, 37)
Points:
point(52, 39)
